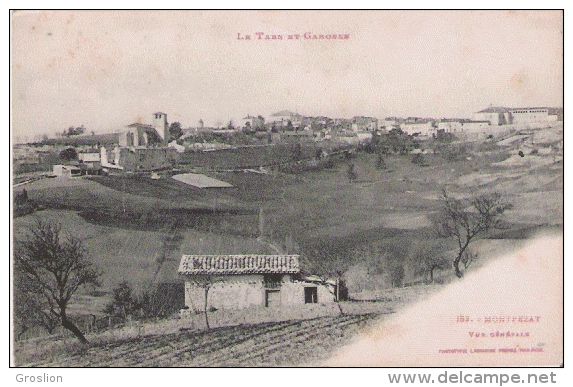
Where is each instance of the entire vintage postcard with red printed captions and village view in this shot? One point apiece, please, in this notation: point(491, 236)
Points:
point(287, 188)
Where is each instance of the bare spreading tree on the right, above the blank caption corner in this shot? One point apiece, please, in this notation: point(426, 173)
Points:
point(464, 221)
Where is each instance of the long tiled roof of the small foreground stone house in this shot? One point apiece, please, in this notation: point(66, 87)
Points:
point(238, 264)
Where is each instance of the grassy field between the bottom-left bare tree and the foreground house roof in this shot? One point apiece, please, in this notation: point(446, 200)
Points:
point(134, 254)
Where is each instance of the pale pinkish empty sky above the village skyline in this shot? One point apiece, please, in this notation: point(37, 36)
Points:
point(108, 69)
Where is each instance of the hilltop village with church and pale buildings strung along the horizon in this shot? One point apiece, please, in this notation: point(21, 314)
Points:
point(157, 145)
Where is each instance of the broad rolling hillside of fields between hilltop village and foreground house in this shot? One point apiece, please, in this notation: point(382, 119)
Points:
point(127, 222)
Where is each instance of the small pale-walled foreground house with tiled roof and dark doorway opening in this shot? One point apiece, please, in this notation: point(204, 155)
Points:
point(242, 281)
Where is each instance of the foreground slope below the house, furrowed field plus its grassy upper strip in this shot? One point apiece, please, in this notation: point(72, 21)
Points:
point(301, 336)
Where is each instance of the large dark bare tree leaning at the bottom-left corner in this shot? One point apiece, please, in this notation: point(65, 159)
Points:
point(53, 269)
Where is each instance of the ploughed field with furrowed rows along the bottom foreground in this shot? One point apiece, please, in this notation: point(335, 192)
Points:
point(294, 342)
